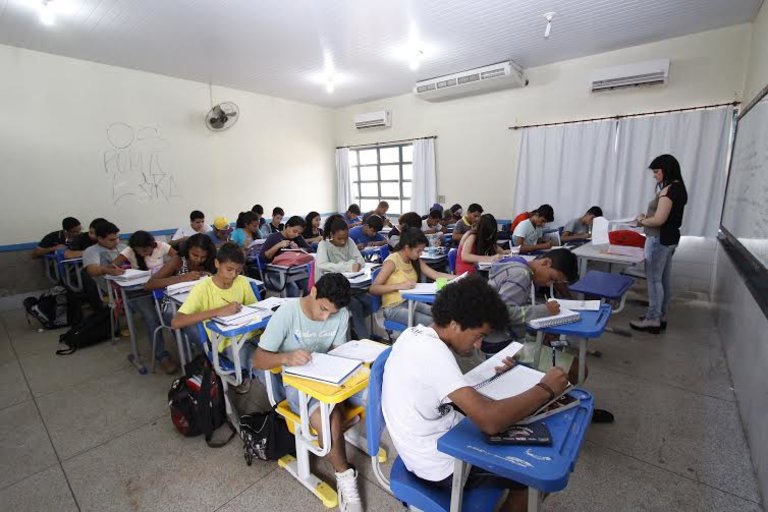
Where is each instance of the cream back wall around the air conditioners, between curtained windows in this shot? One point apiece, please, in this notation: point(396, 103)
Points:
point(477, 156)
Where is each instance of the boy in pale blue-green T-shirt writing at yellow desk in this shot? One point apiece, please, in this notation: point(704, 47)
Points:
point(315, 323)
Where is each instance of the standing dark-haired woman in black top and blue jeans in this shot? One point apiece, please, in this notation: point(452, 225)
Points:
point(662, 228)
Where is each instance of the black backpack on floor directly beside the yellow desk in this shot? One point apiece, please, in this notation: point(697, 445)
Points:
point(265, 436)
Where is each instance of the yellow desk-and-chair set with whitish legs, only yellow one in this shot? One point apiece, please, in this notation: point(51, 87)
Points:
point(306, 437)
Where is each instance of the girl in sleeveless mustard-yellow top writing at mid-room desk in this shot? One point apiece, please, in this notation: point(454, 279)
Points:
point(401, 271)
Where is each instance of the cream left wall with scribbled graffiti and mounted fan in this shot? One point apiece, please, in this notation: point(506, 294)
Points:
point(53, 140)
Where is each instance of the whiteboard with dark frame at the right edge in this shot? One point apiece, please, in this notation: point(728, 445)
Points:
point(745, 212)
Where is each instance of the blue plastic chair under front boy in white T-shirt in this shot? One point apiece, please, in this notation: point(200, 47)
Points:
point(404, 485)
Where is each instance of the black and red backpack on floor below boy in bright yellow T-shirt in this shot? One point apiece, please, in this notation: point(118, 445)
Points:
point(197, 404)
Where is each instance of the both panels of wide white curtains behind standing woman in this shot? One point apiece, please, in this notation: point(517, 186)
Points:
point(605, 163)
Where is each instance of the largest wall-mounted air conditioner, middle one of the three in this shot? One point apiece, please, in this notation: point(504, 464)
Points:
point(503, 75)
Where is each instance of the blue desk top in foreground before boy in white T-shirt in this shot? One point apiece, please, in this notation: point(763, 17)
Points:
point(545, 468)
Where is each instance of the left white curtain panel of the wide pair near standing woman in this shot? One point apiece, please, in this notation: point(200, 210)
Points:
point(571, 167)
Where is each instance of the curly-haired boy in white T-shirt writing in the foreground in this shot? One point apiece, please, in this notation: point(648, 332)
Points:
point(421, 377)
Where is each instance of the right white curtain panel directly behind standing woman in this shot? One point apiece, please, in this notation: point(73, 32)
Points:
point(699, 140)
